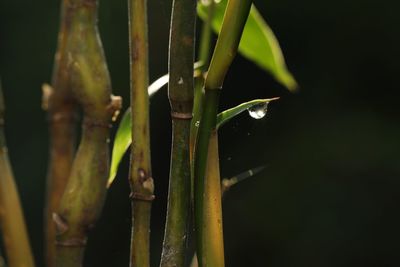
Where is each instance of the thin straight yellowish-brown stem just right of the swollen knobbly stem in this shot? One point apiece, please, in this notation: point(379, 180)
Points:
point(140, 177)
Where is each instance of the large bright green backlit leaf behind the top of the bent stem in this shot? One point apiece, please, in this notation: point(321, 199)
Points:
point(258, 42)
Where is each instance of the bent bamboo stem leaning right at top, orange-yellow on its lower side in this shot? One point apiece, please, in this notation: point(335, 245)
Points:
point(208, 210)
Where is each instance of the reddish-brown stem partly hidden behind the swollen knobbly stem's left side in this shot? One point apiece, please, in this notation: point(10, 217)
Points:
point(62, 116)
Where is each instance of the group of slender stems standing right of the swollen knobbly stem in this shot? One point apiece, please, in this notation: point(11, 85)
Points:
point(200, 163)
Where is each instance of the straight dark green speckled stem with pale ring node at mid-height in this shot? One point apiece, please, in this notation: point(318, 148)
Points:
point(180, 92)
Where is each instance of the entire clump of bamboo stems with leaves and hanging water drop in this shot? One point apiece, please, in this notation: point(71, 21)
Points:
point(80, 90)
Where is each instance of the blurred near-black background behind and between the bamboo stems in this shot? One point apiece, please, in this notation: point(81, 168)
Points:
point(330, 193)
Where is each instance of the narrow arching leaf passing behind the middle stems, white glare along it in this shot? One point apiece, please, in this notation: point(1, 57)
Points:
point(123, 138)
